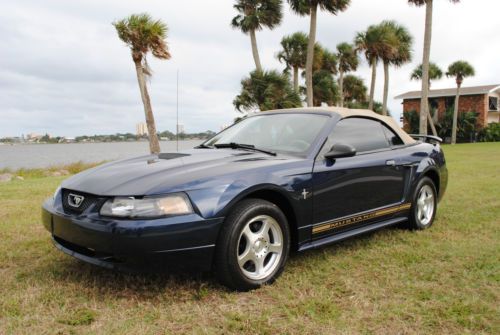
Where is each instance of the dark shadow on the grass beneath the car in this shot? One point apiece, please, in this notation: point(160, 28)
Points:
point(178, 283)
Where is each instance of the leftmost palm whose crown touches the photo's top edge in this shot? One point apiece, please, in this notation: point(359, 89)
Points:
point(254, 15)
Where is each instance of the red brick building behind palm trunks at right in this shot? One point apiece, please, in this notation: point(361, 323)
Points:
point(484, 100)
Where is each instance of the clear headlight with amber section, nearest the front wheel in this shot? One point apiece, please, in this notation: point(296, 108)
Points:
point(175, 204)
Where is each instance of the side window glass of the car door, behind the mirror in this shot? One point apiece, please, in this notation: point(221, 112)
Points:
point(363, 134)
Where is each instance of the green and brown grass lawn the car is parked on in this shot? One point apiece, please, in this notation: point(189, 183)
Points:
point(439, 281)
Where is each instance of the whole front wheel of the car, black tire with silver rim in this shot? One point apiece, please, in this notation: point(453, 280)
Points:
point(253, 245)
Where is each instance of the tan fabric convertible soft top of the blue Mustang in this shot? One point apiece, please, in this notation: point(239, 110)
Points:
point(346, 112)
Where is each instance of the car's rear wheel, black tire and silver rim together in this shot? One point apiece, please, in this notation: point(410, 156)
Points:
point(424, 205)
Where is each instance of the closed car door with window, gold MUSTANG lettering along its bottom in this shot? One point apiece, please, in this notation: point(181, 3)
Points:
point(352, 191)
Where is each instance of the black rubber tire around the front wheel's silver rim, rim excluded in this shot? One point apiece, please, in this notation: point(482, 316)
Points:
point(251, 209)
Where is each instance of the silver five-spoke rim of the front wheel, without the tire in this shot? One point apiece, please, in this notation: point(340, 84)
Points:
point(260, 247)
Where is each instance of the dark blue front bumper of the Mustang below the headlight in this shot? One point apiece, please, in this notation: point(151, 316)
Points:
point(187, 240)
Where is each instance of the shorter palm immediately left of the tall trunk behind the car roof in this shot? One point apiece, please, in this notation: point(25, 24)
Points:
point(294, 54)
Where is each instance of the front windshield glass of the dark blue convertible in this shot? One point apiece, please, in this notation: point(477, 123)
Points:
point(290, 133)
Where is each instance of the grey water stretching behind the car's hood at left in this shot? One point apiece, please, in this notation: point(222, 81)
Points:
point(44, 155)
